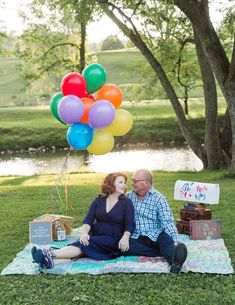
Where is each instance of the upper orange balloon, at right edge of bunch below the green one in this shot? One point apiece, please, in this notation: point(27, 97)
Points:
point(112, 93)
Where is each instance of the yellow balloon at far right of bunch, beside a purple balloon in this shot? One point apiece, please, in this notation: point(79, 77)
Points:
point(121, 124)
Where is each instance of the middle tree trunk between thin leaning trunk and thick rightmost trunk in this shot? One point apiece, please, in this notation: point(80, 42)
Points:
point(215, 157)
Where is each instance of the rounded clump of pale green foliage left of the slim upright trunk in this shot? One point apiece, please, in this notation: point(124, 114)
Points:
point(46, 56)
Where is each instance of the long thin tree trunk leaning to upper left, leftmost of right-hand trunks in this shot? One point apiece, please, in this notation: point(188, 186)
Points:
point(134, 36)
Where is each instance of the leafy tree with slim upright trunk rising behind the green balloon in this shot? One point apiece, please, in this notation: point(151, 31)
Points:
point(51, 48)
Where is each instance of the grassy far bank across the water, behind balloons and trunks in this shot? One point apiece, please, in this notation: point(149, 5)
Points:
point(34, 128)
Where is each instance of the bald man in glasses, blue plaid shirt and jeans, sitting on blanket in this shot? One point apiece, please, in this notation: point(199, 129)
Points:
point(155, 233)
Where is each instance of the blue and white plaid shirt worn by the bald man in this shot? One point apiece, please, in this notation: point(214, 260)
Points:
point(152, 216)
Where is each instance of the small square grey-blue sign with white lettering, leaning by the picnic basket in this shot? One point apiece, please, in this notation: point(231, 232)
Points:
point(40, 232)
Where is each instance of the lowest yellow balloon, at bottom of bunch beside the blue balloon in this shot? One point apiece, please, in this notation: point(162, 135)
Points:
point(102, 143)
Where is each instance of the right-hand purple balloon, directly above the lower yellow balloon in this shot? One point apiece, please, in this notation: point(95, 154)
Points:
point(101, 114)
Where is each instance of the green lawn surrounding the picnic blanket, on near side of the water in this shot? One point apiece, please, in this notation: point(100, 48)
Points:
point(25, 198)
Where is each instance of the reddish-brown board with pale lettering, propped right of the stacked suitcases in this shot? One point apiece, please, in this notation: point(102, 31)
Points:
point(205, 229)
